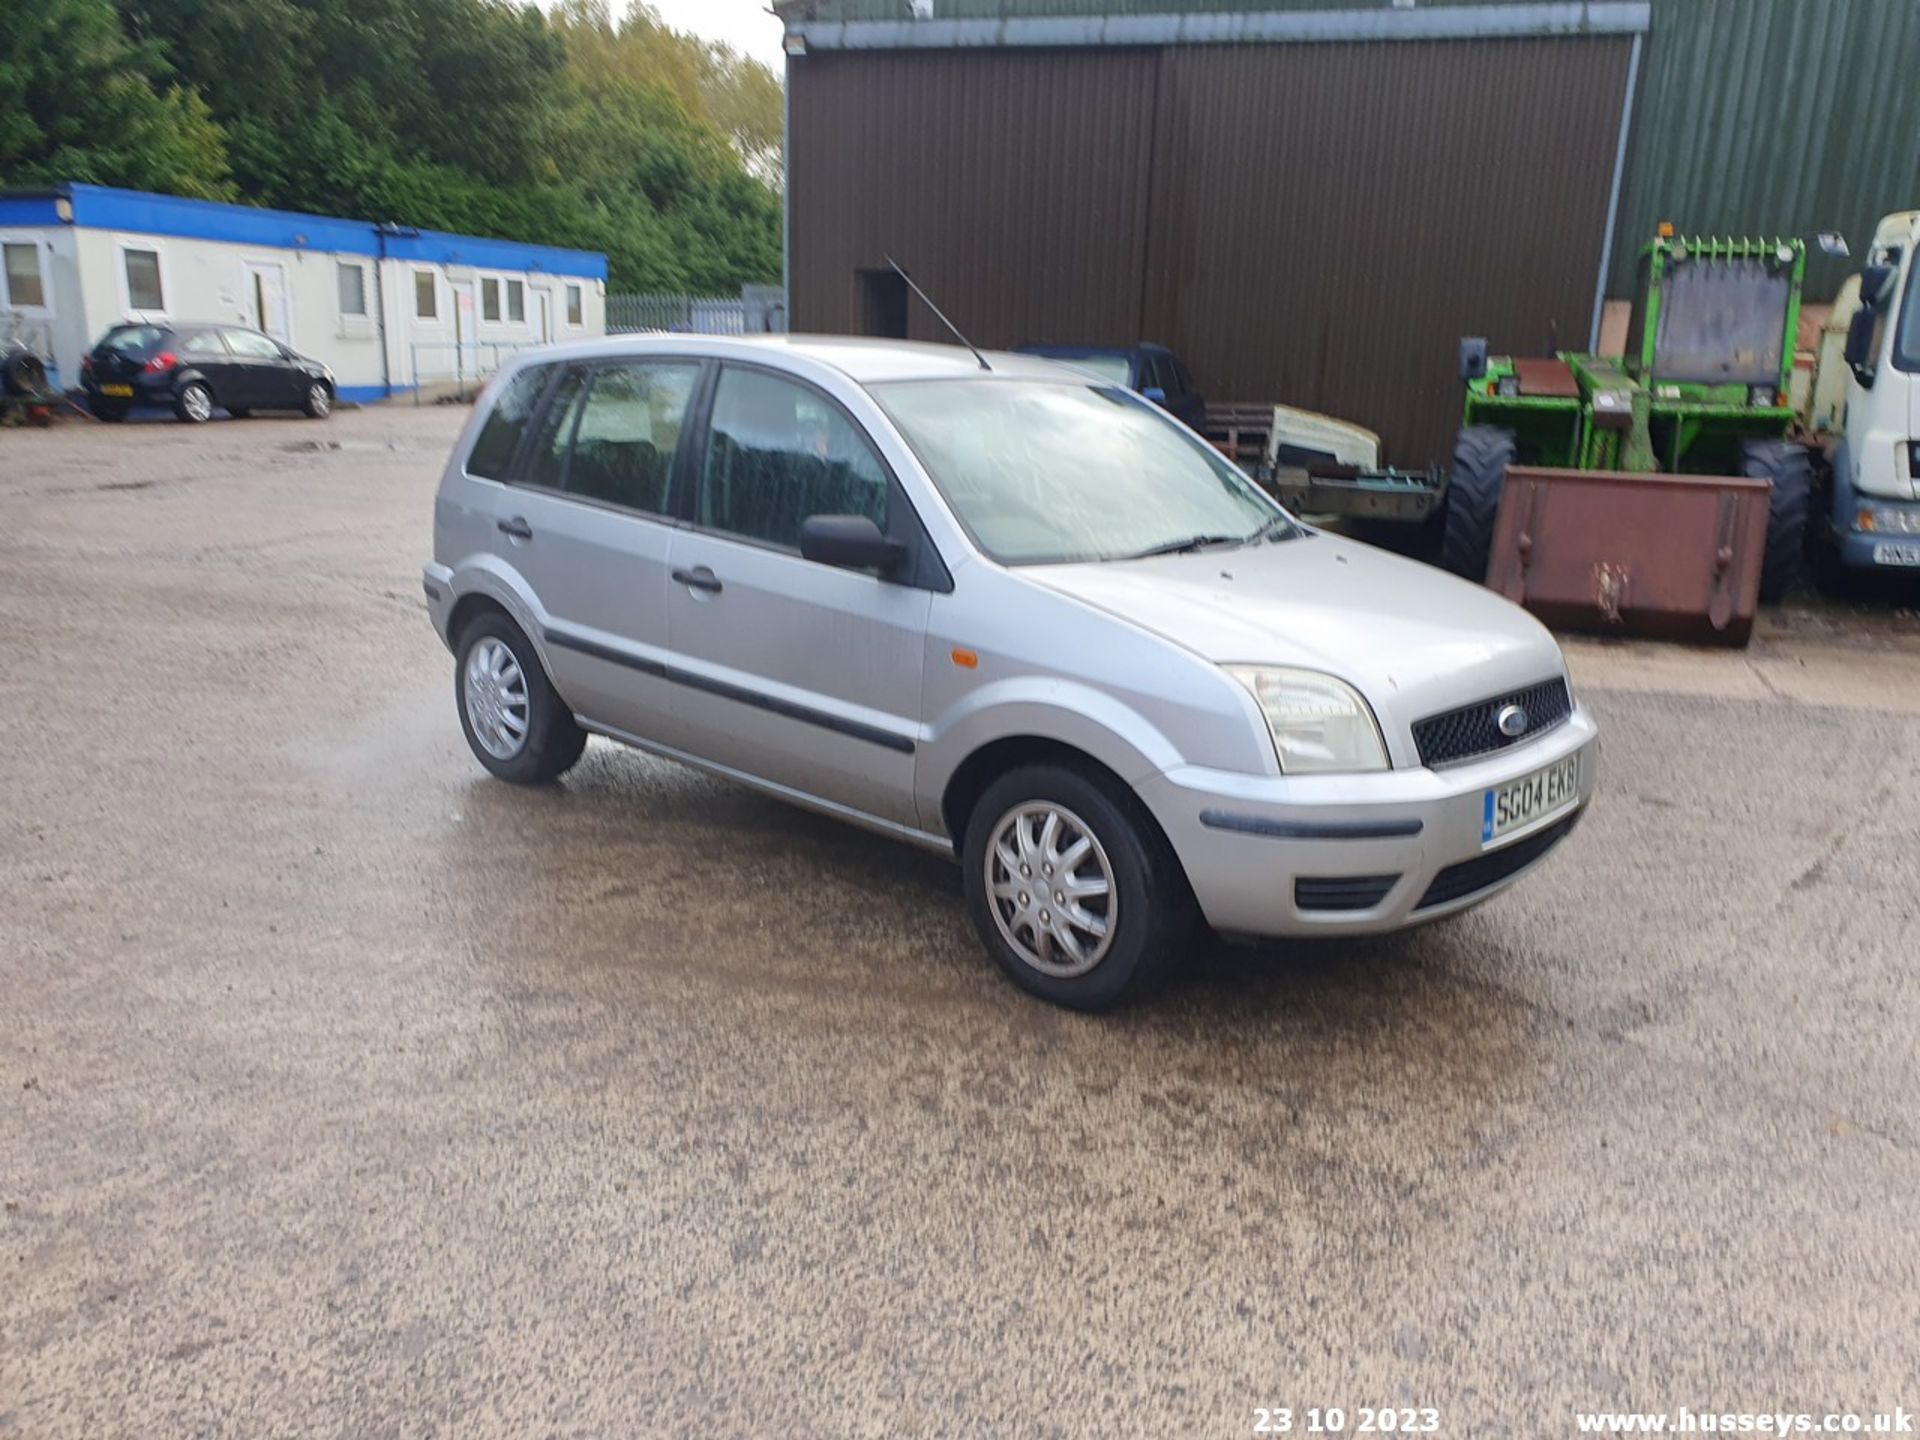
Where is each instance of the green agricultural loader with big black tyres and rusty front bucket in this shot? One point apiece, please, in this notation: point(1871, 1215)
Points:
point(1702, 391)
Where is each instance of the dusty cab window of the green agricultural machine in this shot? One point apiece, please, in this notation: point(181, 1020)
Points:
point(1721, 322)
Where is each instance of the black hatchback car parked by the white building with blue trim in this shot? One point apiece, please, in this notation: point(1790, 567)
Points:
point(193, 370)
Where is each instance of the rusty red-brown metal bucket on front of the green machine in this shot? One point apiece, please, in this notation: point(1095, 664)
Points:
point(1671, 556)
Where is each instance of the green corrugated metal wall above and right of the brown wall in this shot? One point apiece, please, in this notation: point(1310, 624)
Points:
point(1754, 116)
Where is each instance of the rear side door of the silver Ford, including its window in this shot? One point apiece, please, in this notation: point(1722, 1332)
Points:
point(587, 523)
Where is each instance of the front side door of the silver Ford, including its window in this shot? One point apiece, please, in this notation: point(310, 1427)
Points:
point(796, 673)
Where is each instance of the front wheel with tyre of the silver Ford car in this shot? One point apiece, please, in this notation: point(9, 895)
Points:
point(1147, 907)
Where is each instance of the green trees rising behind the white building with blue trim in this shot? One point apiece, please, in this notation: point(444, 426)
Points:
point(475, 116)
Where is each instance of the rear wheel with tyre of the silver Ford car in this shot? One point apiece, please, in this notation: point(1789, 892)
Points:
point(510, 713)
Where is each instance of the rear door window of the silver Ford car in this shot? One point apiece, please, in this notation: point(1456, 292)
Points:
point(631, 433)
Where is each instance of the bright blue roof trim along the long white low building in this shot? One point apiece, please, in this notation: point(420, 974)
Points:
point(105, 208)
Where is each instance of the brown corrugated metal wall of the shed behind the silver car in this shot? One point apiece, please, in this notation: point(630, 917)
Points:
point(1310, 224)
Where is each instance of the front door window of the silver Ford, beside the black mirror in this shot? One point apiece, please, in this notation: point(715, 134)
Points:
point(779, 454)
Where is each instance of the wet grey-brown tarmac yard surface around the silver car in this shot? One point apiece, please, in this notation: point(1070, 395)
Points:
point(347, 1092)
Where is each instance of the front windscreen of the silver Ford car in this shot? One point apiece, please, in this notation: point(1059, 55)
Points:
point(1044, 471)
